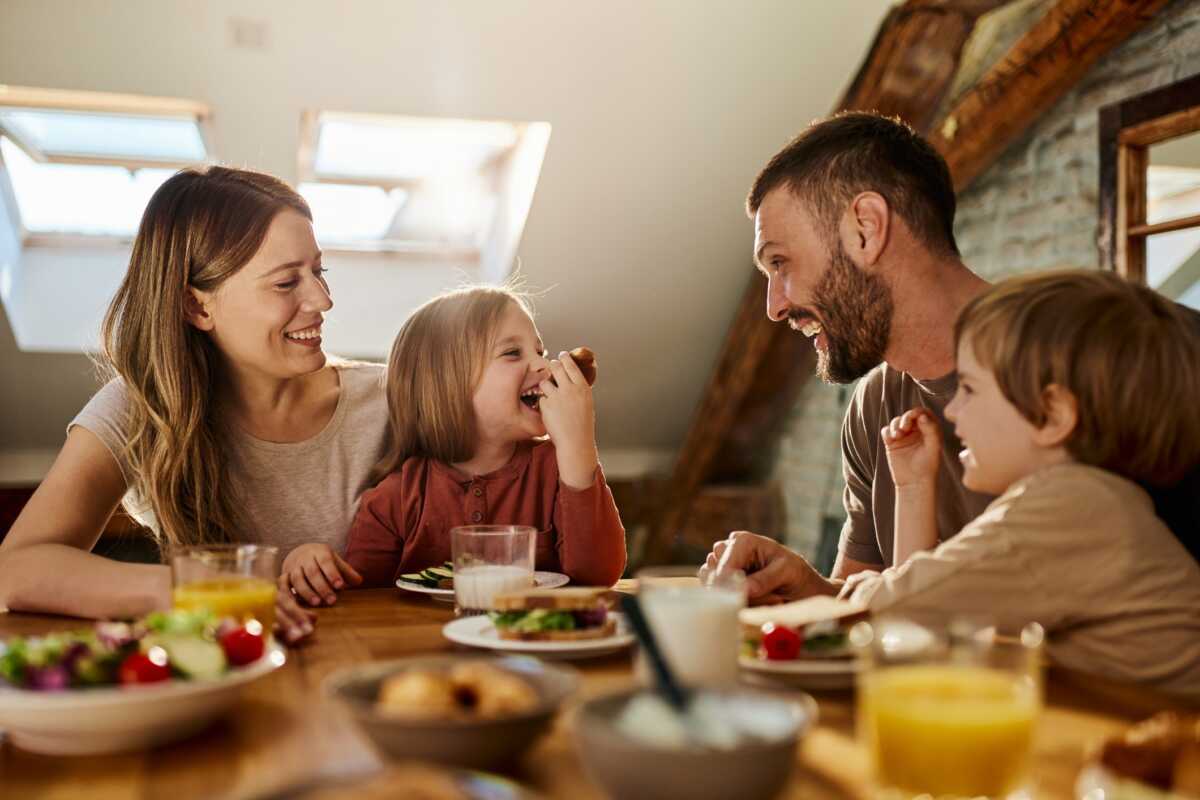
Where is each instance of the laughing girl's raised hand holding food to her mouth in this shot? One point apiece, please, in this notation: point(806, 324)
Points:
point(569, 416)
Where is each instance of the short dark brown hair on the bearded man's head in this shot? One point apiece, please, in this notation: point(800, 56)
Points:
point(837, 159)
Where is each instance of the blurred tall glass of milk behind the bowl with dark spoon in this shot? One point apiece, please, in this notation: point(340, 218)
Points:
point(695, 623)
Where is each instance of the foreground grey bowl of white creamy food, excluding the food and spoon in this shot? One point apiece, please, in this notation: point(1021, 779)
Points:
point(752, 769)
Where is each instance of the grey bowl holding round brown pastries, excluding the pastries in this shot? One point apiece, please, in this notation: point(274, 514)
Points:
point(491, 743)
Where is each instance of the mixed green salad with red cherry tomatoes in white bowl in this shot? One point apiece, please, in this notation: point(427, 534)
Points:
point(188, 645)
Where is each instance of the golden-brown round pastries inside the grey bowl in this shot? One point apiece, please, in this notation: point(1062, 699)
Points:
point(470, 690)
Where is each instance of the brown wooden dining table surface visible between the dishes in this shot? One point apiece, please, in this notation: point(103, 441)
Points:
point(284, 733)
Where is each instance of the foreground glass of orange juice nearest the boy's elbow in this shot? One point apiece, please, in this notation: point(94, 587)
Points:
point(950, 715)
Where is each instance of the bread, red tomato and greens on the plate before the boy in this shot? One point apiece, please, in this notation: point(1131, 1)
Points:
point(807, 629)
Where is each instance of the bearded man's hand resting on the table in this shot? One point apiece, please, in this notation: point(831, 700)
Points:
point(775, 574)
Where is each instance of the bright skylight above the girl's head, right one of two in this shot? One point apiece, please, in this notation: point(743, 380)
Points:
point(433, 187)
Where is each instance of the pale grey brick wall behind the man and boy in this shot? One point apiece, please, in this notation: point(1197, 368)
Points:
point(1035, 209)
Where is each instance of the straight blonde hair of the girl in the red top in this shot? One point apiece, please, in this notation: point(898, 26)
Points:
point(436, 363)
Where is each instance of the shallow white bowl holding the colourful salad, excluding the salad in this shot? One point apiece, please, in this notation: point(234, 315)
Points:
point(122, 719)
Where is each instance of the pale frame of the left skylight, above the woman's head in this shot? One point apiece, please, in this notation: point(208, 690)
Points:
point(67, 100)
